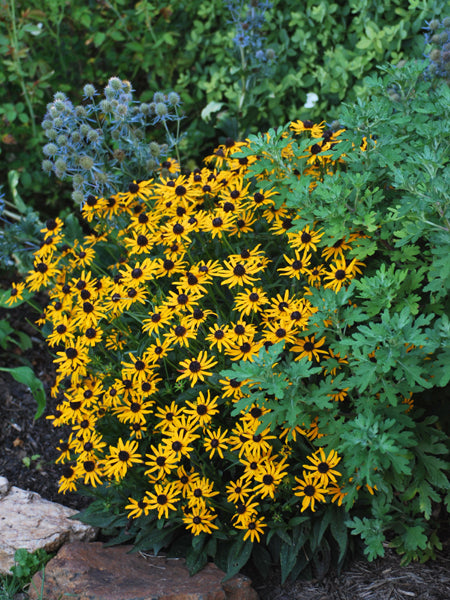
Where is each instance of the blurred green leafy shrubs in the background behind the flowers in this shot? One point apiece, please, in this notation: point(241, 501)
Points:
point(264, 59)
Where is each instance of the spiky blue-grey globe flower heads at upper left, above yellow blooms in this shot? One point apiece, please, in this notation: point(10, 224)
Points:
point(100, 145)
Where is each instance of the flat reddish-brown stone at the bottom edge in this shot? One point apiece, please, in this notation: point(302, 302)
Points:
point(91, 571)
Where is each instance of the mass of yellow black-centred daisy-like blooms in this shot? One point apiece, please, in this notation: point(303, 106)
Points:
point(179, 278)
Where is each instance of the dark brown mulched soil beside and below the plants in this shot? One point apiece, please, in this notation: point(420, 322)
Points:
point(22, 438)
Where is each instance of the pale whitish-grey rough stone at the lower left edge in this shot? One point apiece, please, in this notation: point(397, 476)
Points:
point(28, 521)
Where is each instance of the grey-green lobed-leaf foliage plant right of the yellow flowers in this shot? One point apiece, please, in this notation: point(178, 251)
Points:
point(391, 324)
